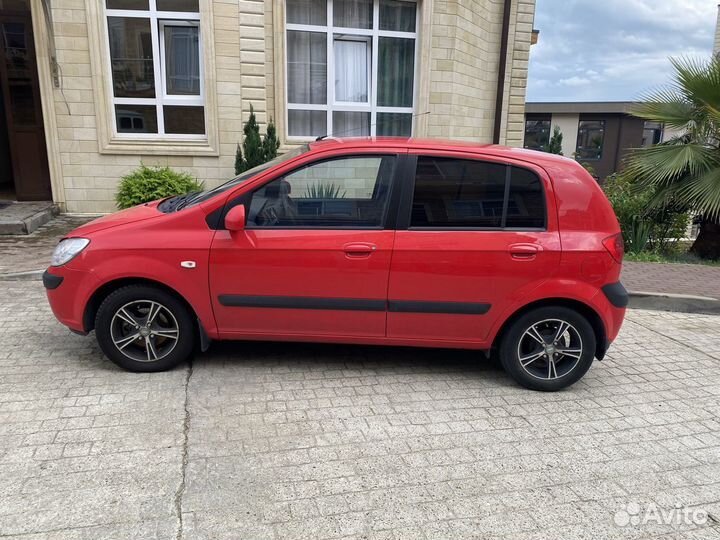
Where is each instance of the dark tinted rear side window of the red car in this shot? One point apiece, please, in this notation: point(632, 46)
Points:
point(463, 193)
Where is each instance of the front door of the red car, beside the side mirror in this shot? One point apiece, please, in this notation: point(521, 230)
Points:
point(314, 258)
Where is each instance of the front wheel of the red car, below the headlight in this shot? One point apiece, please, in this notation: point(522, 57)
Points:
point(125, 313)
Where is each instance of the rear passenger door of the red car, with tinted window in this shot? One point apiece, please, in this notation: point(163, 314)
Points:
point(475, 235)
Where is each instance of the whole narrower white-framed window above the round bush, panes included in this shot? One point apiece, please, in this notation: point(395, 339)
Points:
point(156, 68)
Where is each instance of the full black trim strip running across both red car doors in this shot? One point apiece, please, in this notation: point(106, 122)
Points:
point(353, 304)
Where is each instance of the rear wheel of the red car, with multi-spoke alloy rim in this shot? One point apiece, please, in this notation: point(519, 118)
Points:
point(526, 359)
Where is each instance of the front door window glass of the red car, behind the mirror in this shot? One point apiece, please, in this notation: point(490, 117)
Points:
point(345, 192)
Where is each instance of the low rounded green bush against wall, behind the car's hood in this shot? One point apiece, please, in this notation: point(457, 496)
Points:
point(147, 184)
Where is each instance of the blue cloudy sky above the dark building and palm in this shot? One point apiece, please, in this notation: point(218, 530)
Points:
point(614, 50)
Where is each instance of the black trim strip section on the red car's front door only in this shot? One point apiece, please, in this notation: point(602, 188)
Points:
point(302, 302)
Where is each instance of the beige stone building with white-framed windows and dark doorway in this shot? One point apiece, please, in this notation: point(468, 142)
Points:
point(92, 88)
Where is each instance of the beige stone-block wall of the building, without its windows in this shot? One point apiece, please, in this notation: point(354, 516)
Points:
point(458, 74)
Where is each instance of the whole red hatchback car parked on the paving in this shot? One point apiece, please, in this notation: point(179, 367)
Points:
point(375, 241)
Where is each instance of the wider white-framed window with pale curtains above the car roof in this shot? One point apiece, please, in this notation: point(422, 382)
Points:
point(350, 67)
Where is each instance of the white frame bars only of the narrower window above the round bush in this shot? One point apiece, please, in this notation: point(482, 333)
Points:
point(158, 21)
